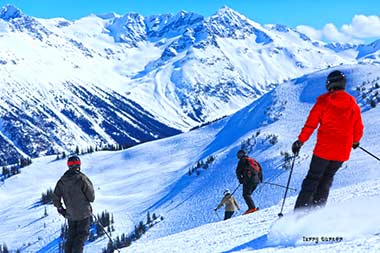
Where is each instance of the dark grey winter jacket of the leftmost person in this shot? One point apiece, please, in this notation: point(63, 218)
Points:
point(77, 192)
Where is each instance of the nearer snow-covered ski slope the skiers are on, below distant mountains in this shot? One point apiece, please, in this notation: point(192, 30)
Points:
point(154, 177)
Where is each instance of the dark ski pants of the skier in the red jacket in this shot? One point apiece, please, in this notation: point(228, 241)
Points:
point(316, 185)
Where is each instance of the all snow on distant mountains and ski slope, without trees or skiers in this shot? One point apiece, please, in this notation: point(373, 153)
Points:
point(266, 84)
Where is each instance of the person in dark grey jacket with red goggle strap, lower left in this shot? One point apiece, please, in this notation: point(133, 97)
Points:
point(77, 192)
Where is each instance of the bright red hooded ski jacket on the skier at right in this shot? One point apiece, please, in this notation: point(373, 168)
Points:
point(340, 125)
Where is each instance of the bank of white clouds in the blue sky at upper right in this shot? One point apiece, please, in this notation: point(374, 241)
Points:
point(361, 28)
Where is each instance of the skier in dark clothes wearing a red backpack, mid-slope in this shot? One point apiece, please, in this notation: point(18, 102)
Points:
point(248, 174)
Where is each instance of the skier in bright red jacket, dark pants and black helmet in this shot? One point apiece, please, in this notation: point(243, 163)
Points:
point(340, 129)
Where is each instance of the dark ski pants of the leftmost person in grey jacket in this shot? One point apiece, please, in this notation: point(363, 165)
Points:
point(77, 235)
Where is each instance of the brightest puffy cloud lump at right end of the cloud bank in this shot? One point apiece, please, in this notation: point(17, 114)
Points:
point(363, 26)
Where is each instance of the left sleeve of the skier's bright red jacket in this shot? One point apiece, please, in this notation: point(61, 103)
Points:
point(312, 120)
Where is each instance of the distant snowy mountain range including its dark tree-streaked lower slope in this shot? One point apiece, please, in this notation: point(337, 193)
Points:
point(63, 80)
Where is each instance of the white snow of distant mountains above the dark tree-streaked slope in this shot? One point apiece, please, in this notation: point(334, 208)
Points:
point(223, 73)
